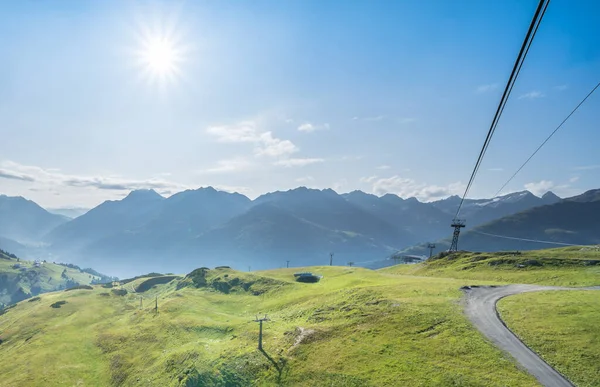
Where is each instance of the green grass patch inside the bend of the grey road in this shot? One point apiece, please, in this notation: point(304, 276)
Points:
point(562, 327)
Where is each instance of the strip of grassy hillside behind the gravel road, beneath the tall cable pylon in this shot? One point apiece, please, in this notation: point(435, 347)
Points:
point(570, 266)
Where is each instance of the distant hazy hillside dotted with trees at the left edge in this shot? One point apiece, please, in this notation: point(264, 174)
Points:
point(21, 279)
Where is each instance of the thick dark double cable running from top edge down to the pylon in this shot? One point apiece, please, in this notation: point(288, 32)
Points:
point(533, 27)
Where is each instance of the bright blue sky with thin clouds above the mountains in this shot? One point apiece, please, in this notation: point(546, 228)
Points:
point(382, 96)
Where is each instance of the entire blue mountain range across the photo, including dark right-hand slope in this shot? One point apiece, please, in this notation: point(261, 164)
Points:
point(148, 232)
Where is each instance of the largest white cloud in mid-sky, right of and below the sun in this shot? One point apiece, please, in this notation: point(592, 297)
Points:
point(247, 131)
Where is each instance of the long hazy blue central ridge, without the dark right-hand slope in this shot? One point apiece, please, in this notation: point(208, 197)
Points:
point(207, 226)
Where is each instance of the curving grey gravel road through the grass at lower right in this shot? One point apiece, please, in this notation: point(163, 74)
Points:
point(481, 310)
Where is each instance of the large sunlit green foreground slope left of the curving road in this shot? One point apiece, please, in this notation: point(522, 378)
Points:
point(370, 329)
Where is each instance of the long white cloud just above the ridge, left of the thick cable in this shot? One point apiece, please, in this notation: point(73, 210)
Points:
point(405, 187)
